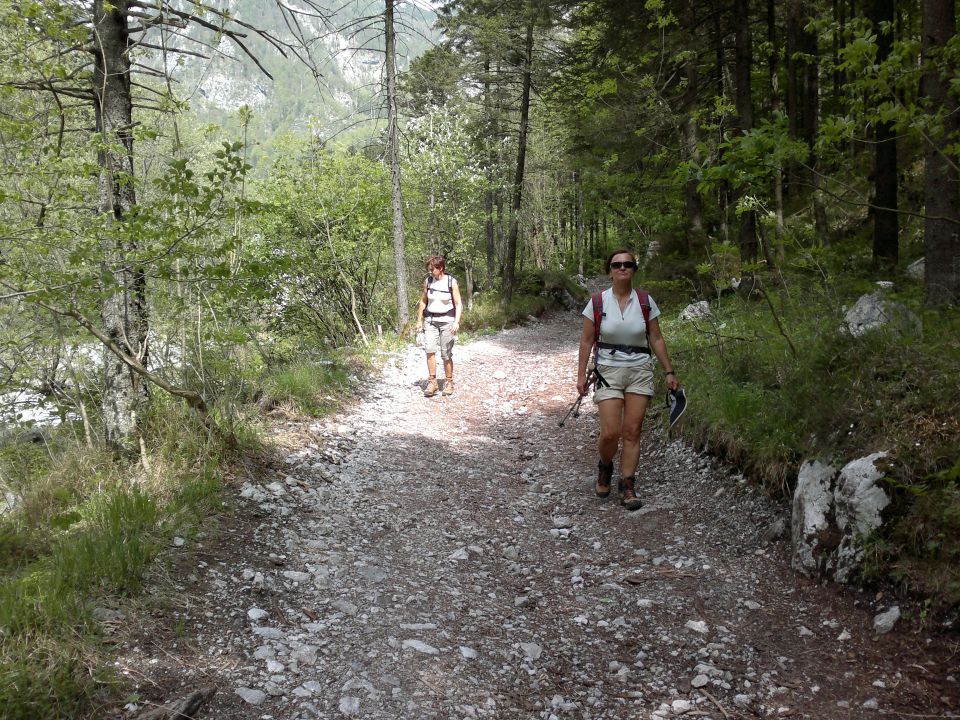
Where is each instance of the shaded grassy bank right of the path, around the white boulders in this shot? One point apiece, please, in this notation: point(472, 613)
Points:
point(768, 410)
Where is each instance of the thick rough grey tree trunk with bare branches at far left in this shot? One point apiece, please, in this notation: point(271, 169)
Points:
point(124, 309)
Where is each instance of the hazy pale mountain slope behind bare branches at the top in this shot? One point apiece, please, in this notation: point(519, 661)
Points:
point(337, 93)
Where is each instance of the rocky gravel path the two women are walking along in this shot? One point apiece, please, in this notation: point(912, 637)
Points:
point(446, 557)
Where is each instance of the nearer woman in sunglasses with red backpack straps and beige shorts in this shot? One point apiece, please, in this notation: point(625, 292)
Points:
point(629, 337)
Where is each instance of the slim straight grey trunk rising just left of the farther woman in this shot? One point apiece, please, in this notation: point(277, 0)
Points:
point(393, 152)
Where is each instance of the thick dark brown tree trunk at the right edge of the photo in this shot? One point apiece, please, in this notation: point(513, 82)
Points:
point(941, 187)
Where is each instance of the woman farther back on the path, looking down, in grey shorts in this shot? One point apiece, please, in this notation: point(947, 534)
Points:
point(438, 315)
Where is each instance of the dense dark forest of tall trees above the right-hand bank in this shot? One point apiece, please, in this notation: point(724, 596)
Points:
point(761, 124)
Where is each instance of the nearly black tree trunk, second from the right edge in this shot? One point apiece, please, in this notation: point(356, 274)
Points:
point(886, 226)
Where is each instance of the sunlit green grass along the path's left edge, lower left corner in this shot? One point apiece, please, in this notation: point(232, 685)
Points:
point(83, 532)
